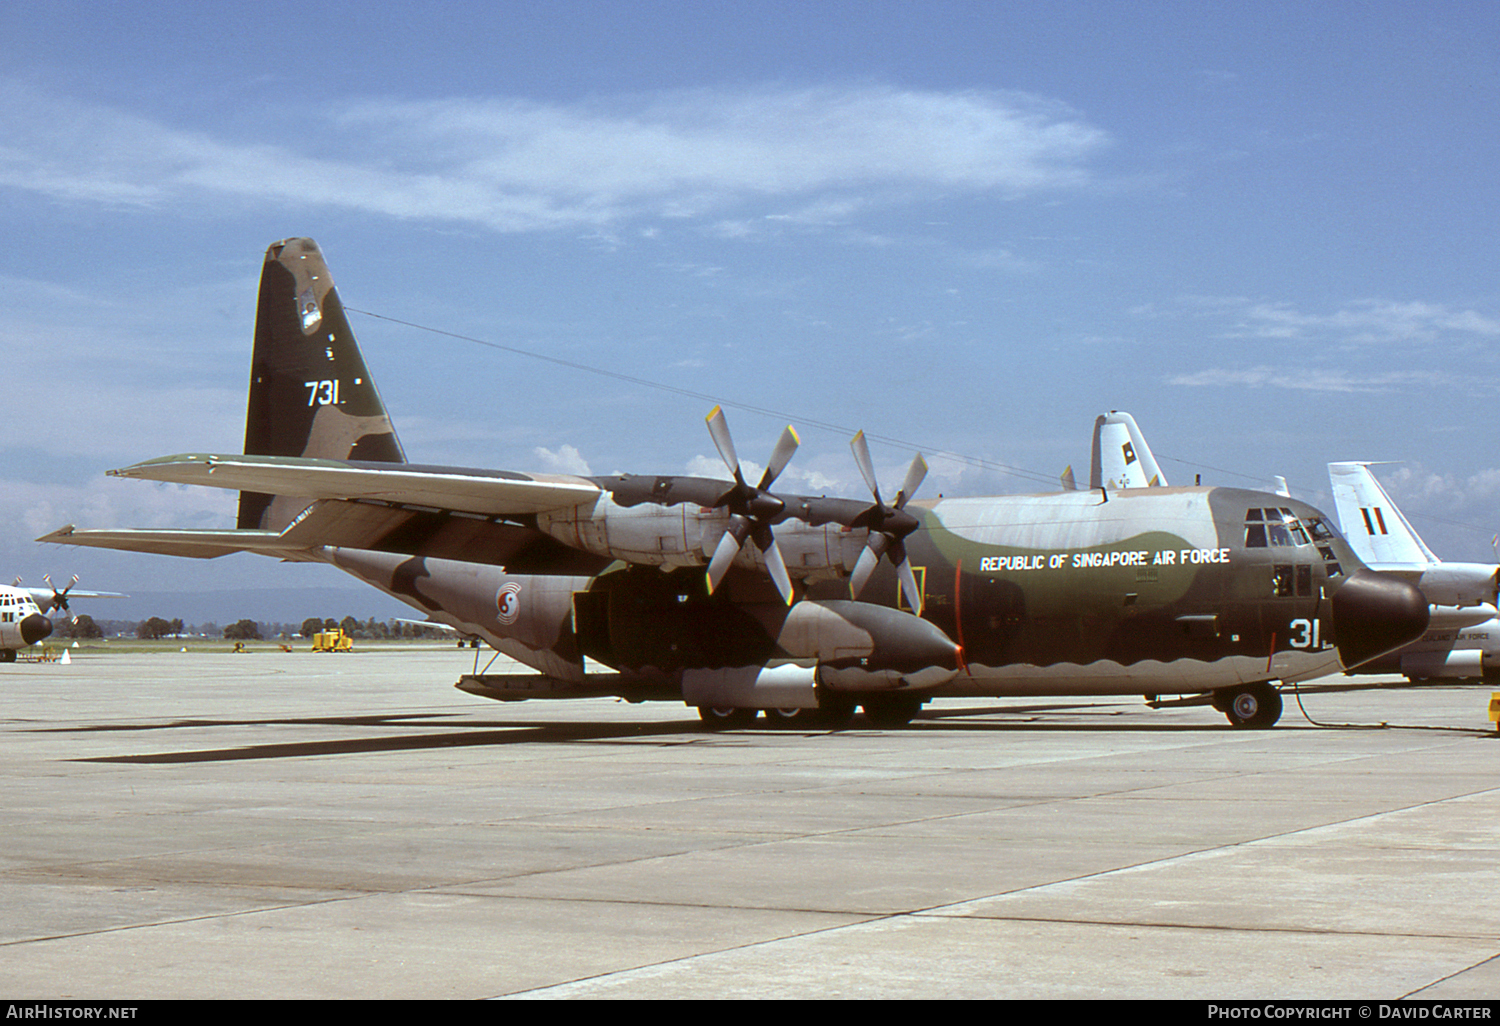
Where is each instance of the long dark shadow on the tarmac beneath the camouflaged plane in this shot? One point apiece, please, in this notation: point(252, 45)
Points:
point(505, 733)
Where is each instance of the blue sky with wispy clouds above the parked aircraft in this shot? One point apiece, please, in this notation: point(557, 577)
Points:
point(1267, 230)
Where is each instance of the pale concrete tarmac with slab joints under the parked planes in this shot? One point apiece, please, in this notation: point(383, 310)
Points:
point(299, 826)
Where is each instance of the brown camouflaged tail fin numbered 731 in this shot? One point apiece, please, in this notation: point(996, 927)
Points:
point(311, 394)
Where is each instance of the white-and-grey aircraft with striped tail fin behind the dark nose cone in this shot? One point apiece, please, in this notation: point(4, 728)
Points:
point(1463, 638)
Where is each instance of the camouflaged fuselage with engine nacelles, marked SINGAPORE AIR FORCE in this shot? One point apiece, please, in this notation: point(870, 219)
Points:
point(1174, 590)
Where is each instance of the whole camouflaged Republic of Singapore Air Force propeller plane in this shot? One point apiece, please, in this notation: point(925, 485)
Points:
point(736, 599)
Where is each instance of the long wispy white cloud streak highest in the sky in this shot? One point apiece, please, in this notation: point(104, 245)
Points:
point(520, 166)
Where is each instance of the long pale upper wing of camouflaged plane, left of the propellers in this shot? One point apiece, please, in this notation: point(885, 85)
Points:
point(443, 488)
